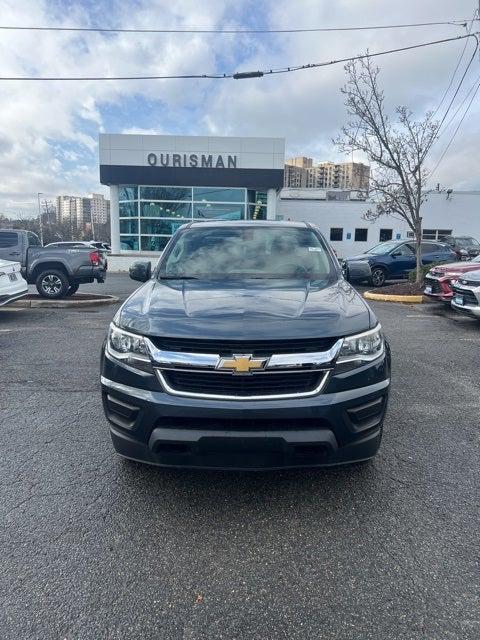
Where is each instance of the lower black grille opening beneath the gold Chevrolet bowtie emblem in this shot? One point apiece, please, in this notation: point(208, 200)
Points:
point(257, 384)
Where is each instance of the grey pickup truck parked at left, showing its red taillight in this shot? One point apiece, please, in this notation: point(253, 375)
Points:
point(55, 271)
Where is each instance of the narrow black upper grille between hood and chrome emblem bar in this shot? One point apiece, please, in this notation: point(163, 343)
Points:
point(255, 347)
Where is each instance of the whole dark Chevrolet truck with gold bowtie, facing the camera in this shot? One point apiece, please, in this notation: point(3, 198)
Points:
point(247, 349)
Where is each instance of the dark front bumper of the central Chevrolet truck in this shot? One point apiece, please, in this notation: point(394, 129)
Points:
point(341, 425)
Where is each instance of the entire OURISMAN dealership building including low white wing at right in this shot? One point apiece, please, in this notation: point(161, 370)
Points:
point(158, 183)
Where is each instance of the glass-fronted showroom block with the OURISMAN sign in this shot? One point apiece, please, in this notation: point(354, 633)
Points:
point(158, 183)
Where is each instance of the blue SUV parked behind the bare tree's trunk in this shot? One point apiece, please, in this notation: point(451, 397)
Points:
point(396, 258)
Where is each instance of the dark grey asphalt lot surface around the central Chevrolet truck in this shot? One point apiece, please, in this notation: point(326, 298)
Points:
point(94, 548)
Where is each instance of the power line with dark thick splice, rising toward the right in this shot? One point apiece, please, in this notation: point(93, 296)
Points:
point(244, 74)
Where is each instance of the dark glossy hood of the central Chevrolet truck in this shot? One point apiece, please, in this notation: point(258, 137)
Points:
point(250, 310)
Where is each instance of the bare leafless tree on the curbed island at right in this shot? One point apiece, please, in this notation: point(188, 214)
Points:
point(397, 150)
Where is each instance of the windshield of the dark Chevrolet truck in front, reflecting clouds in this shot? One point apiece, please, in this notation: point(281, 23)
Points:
point(248, 252)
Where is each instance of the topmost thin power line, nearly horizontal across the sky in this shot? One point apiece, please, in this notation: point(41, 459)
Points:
point(455, 23)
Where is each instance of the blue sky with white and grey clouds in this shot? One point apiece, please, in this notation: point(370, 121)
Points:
point(49, 130)
